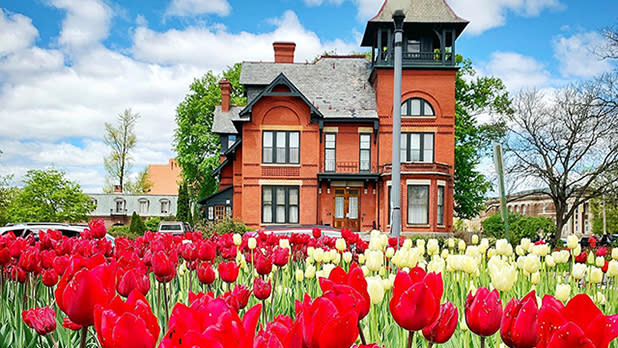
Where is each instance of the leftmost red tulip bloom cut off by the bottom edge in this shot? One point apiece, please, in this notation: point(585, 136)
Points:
point(126, 324)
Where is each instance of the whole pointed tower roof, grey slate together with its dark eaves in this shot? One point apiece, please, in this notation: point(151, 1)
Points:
point(417, 12)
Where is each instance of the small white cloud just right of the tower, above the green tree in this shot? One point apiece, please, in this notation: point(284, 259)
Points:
point(516, 71)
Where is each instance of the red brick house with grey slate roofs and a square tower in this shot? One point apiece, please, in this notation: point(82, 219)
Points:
point(314, 143)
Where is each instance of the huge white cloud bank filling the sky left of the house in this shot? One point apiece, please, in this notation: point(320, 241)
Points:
point(54, 109)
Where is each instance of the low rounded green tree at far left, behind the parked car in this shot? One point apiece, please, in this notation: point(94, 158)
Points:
point(47, 196)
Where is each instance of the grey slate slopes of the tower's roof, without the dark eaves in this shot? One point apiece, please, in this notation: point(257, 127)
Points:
point(418, 11)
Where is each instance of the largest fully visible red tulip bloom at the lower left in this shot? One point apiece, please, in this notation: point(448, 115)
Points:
point(85, 284)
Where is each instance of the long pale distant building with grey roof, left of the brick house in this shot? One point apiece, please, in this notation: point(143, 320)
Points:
point(117, 208)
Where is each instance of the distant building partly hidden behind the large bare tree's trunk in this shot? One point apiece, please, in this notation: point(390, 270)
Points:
point(538, 203)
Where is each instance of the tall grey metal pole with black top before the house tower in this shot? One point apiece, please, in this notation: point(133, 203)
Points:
point(398, 18)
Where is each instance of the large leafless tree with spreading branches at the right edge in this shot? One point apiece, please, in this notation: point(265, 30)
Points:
point(568, 141)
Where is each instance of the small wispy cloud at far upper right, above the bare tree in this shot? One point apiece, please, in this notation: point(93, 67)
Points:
point(578, 55)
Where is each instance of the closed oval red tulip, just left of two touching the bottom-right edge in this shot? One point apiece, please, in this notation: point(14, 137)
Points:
point(483, 312)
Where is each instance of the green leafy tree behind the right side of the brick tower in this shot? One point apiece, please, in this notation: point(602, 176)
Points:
point(475, 96)
